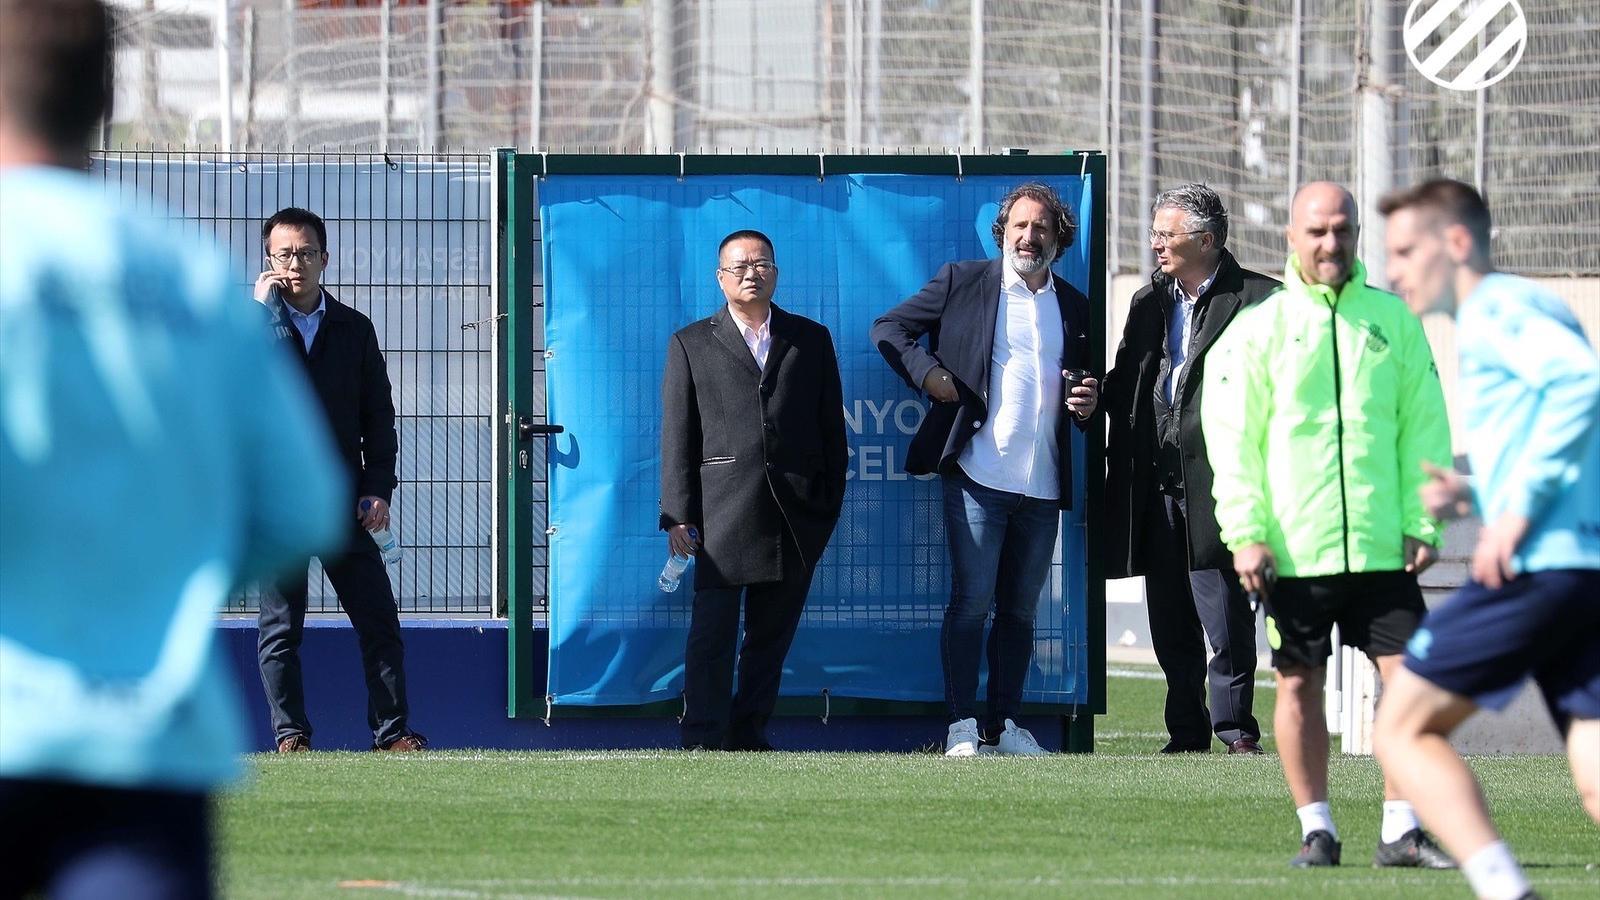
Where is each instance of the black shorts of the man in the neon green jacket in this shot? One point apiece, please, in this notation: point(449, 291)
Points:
point(1377, 613)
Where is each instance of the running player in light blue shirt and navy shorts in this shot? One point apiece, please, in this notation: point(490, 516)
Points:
point(1530, 385)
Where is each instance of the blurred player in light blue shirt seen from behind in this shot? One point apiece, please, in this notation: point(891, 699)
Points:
point(145, 422)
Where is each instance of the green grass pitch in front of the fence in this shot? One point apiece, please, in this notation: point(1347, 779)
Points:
point(1124, 822)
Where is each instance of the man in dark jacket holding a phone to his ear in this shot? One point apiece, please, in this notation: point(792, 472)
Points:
point(346, 366)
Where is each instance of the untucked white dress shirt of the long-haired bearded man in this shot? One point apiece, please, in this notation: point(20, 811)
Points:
point(1015, 451)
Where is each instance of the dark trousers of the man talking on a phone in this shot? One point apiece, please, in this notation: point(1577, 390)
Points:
point(366, 595)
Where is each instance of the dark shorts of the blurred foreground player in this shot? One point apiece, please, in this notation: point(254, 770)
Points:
point(79, 842)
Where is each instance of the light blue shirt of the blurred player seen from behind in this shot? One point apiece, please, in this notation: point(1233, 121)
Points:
point(145, 422)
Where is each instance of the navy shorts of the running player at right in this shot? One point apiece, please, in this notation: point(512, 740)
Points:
point(1484, 645)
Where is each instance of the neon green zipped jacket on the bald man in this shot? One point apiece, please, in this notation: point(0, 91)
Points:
point(1319, 411)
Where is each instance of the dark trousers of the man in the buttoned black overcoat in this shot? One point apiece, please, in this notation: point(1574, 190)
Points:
point(714, 715)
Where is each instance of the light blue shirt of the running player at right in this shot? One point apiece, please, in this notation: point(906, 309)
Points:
point(1532, 390)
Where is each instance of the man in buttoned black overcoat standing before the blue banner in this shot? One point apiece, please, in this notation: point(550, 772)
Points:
point(753, 481)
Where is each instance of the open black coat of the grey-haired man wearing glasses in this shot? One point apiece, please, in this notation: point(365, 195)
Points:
point(1129, 401)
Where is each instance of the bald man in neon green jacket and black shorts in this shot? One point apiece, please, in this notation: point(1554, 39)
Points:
point(1321, 406)
